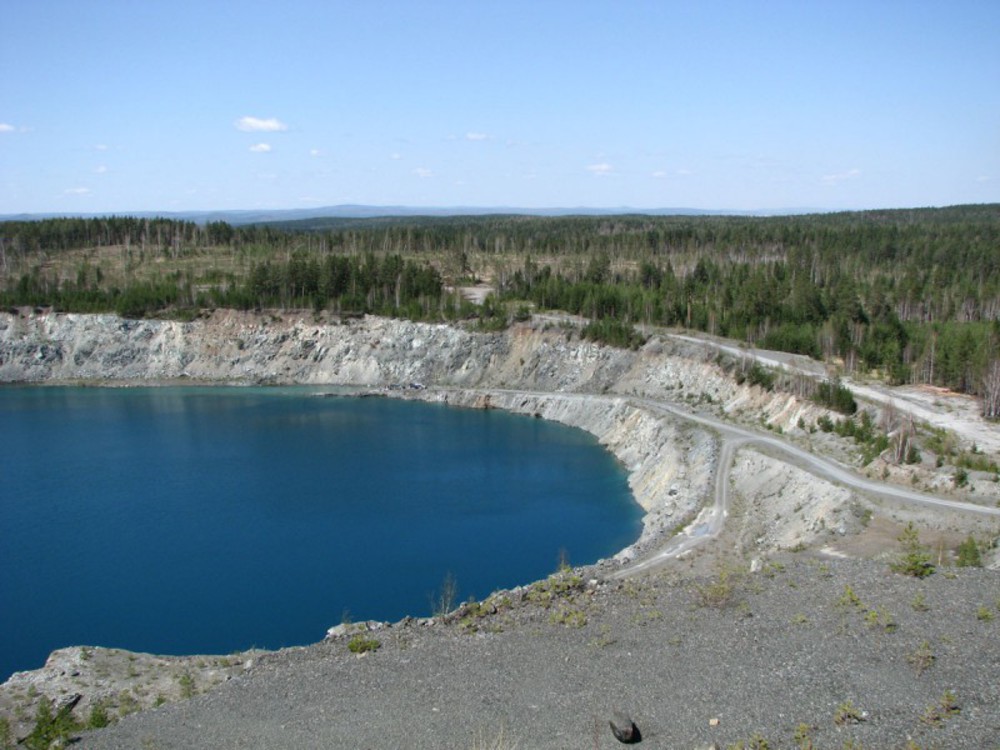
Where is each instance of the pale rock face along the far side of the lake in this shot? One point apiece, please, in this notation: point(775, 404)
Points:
point(300, 348)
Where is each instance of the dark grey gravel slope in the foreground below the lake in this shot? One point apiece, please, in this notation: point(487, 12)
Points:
point(694, 662)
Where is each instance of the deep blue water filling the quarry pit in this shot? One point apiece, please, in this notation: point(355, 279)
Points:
point(209, 520)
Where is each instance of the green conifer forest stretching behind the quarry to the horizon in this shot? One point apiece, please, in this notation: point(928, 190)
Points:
point(912, 295)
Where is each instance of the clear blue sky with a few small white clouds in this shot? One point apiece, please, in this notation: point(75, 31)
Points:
point(117, 106)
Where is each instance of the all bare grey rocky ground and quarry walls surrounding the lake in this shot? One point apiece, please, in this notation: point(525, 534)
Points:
point(741, 641)
